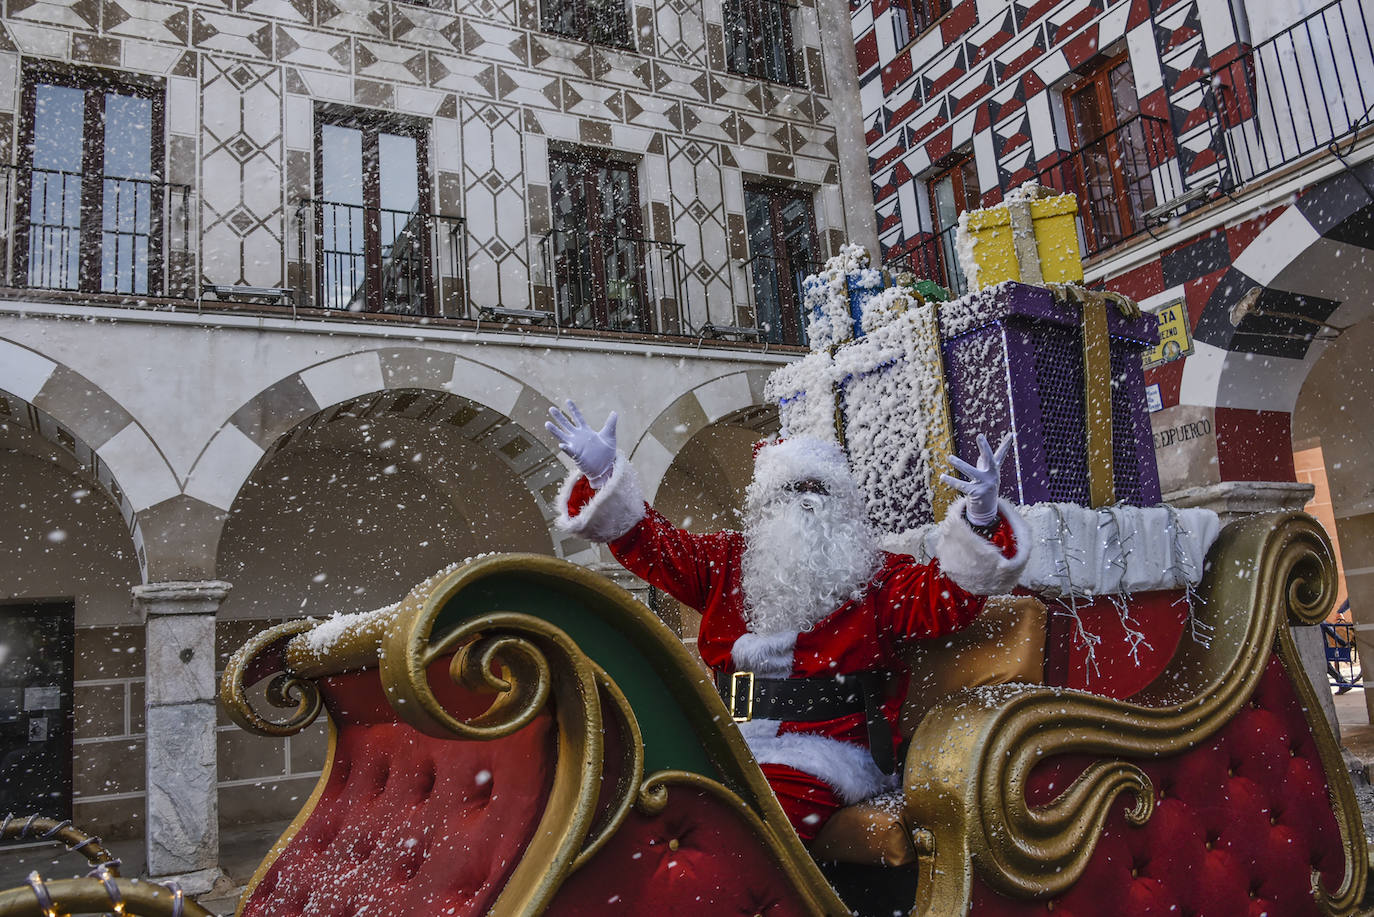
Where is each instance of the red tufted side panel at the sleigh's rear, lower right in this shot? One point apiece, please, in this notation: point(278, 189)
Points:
point(1239, 827)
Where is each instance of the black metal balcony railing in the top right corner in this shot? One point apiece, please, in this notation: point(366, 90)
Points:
point(1296, 93)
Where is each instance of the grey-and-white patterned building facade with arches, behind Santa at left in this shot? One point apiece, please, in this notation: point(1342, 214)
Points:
point(289, 288)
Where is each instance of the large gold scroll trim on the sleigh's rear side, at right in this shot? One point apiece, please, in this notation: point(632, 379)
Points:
point(973, 755)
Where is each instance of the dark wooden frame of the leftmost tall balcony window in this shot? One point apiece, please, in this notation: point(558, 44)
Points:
point(95, 83)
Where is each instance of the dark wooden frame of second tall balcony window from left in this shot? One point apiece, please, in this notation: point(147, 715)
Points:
point(373, 123)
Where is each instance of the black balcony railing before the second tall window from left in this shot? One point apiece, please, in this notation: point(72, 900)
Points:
point(361, 259)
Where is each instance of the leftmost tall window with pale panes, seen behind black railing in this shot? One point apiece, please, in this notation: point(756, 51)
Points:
point(89, 193)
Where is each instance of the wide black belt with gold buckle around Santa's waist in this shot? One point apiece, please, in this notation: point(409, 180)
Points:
point(813, 700)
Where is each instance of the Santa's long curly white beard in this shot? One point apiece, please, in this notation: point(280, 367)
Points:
point(802, 564)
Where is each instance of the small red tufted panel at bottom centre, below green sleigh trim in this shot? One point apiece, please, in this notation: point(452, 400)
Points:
point(717, 868)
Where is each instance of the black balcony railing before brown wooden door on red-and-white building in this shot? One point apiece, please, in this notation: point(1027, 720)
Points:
point(1119, 178)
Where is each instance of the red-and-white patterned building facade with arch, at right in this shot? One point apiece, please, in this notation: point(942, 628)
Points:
point(1221, 155)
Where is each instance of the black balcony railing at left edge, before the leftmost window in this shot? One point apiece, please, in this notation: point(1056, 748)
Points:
point(97, 234)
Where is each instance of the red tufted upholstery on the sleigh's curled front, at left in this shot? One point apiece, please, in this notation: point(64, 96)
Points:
point(409, 824)
